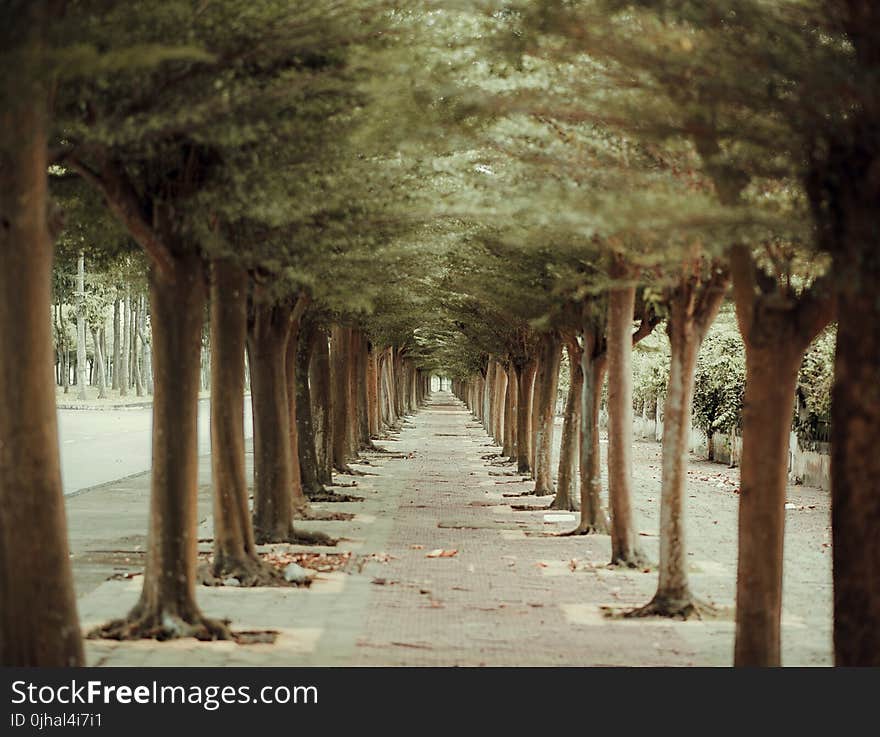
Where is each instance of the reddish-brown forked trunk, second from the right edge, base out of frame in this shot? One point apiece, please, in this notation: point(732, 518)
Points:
point(776, 335)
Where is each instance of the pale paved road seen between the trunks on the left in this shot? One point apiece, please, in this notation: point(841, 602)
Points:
point(98, 446)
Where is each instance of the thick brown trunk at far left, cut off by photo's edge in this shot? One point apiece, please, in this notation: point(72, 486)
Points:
point(38, 621)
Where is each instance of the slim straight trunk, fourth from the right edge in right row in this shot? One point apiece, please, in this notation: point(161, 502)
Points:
point(625, 550)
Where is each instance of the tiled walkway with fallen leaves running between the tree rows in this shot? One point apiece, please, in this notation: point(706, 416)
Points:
point(511, 595)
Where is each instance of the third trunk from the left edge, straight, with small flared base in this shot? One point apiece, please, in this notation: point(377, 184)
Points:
point(235, 553)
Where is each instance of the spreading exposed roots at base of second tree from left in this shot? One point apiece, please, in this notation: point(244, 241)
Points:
point(162, 625)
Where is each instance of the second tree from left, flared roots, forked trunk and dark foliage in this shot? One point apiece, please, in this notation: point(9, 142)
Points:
point(150, 139)
